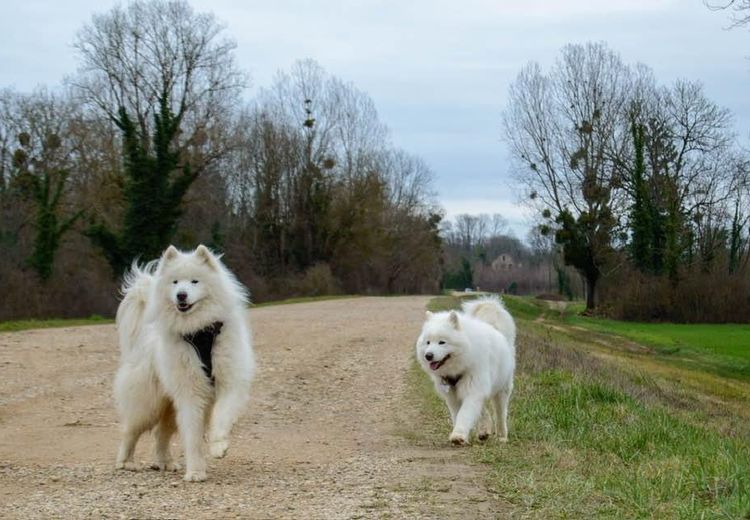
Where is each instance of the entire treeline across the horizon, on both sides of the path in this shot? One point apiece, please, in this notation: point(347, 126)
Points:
point(641, 189)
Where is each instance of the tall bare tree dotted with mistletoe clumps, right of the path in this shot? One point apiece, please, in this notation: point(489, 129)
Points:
point(559, 128)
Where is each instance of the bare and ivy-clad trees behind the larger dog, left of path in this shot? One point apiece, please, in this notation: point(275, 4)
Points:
point(150, 143)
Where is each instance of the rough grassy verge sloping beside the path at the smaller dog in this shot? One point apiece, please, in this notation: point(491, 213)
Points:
point(592, 437)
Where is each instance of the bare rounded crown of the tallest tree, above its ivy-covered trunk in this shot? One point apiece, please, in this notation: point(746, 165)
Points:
point(134, 56)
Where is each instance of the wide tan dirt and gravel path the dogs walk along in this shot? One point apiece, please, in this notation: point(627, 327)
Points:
point(326, 435)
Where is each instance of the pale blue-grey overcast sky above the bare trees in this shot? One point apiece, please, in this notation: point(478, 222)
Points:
point(437, 70)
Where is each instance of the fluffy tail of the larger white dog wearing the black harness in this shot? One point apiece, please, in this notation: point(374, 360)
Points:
point(136, 286)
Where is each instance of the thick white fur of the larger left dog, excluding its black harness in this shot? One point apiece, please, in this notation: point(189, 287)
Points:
point(160, 382)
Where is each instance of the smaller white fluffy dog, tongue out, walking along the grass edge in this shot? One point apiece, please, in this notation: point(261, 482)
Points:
point(470, 356)
